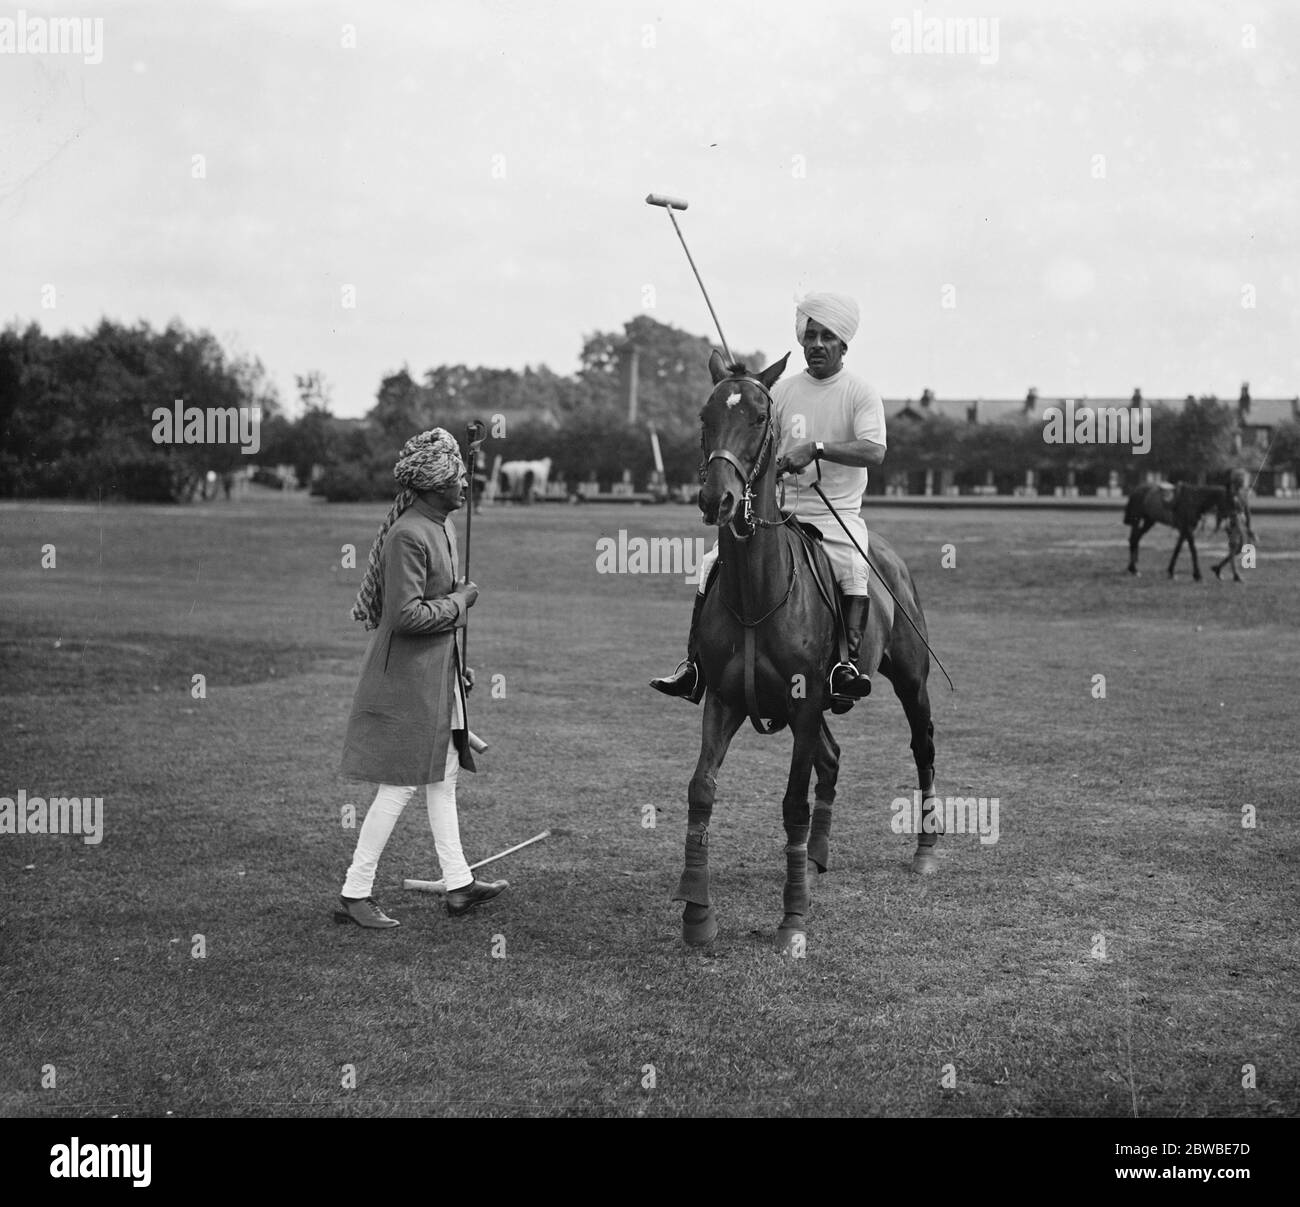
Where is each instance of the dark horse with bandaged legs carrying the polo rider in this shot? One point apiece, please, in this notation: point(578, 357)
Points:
point(766, 641)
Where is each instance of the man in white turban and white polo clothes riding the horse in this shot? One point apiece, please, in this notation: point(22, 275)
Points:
point(826, 417)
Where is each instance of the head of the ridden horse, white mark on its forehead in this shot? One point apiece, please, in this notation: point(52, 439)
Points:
point(739, 439)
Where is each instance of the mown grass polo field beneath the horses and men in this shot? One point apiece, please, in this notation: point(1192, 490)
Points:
point(1126, 948)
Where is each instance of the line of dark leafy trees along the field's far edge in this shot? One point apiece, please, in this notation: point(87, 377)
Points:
point(77, 421)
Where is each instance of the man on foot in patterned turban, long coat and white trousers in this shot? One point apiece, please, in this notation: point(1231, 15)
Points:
point(409, 725)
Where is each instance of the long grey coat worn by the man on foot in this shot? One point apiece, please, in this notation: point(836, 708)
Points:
point(402, 713)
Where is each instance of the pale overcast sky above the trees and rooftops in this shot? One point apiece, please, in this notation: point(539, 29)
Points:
point(1087, 206)
